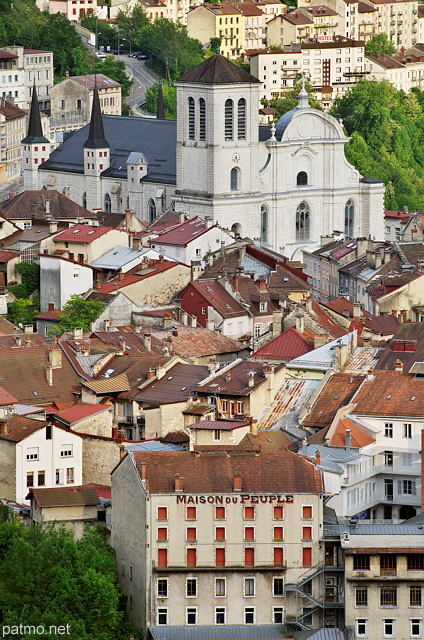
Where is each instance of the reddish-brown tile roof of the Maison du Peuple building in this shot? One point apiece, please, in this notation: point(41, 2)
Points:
point(215, 473)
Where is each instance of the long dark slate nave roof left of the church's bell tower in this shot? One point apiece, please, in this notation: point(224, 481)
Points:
point(155, 139)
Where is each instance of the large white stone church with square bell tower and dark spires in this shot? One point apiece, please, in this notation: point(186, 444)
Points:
point(284, 186)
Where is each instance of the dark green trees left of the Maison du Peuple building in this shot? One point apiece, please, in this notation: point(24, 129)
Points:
point(47, 578)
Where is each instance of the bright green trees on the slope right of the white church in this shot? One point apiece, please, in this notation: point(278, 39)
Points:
point(387, 129)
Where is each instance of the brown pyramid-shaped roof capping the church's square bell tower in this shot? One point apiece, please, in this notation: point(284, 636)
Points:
point(218, 70)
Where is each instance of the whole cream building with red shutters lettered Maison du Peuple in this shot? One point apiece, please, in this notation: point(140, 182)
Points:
point(218, 540)
